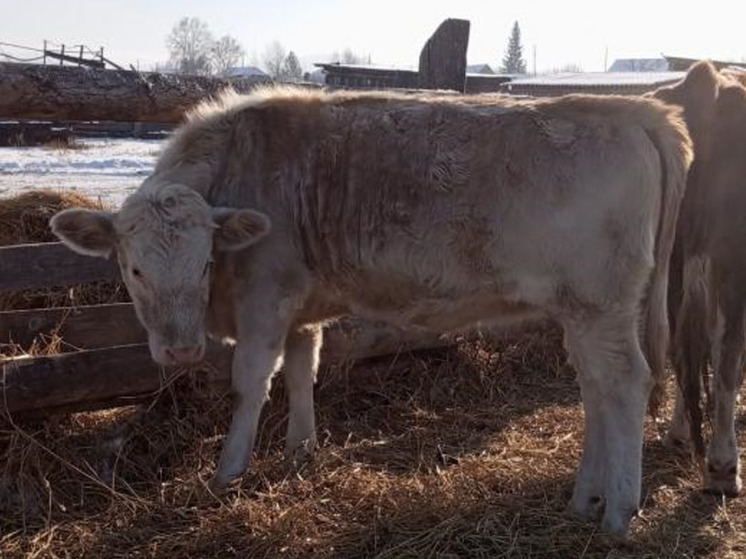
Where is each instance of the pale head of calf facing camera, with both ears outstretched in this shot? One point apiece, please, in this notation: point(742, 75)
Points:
point(164, 239)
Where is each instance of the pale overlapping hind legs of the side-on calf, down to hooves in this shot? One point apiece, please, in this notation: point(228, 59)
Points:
point(615, 384)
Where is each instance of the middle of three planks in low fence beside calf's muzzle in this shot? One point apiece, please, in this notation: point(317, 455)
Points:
point(90, 327)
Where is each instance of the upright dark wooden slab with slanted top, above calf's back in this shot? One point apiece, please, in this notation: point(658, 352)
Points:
point(443, 58)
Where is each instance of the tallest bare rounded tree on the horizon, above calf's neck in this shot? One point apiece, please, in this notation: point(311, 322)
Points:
point(189, 45)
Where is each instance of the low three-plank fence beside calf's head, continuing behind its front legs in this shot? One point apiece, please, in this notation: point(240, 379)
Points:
point(112, 365)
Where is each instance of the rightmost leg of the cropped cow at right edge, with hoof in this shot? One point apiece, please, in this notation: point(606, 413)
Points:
point(723, 465)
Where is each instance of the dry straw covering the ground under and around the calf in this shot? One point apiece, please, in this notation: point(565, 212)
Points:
point(464, 452)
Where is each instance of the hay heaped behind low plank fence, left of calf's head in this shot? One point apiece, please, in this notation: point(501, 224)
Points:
point(25, 219)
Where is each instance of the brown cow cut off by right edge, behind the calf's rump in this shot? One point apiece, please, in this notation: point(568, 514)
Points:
point(707, 294)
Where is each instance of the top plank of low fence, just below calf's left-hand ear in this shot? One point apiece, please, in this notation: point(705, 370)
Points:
point(40, 265)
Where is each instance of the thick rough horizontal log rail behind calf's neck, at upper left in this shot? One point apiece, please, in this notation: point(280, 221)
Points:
point(42, 92)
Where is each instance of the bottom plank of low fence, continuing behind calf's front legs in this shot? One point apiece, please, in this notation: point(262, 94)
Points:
point(123, 375)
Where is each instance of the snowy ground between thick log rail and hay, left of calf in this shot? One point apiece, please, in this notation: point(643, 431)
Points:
point(106, 169)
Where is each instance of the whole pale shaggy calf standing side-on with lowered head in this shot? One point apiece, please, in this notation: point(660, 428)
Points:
point(424, 212)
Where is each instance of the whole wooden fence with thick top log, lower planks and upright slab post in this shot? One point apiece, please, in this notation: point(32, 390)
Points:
point(113, 365)
